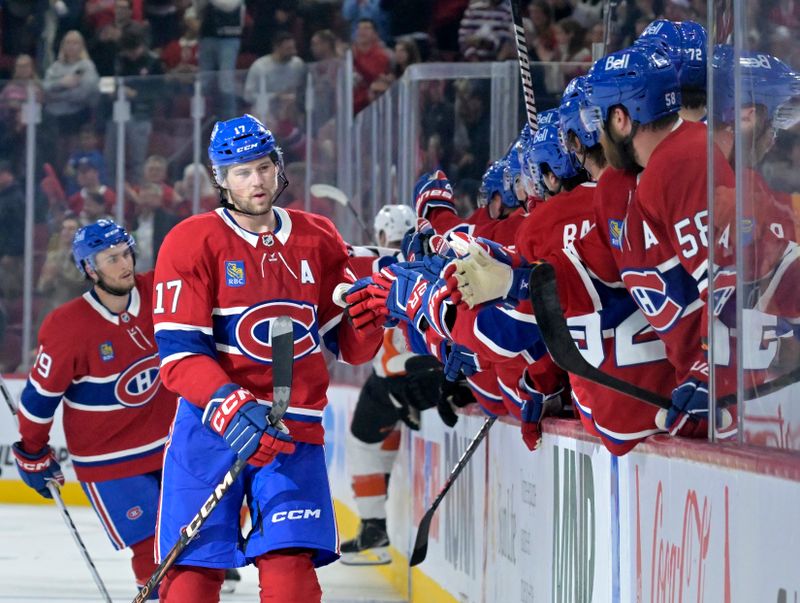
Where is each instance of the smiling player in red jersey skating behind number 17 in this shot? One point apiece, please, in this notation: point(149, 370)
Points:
point(98, 354)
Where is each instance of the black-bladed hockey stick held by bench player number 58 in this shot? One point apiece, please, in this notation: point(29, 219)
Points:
point(559, 342)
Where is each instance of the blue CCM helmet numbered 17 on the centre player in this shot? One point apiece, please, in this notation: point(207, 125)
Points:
point(240, 140)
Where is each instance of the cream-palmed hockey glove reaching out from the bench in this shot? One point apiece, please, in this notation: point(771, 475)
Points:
point(482, 278)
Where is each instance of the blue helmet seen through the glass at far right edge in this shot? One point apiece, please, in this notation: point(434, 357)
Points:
point(766, 81)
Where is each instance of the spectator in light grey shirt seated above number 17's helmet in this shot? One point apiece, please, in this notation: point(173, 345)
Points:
point(280, 71)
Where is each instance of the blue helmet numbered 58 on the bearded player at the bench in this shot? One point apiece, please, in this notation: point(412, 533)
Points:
point(642, 79)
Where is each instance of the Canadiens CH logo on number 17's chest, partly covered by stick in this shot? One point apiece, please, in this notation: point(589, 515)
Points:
point(252, 330)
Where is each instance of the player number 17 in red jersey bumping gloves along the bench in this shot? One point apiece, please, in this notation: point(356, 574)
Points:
point(222, 278)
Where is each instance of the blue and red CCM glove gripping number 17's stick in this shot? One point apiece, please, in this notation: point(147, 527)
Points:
point(234, 414)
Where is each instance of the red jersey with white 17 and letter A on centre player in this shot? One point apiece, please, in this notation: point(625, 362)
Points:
point(218, 290)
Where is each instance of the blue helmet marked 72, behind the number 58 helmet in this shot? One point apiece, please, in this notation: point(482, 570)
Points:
point(685, 44)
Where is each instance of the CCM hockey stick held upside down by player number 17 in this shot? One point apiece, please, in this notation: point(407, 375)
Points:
point(282, 360)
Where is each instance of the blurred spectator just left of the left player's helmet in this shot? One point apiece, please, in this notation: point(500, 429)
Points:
point(60, 280)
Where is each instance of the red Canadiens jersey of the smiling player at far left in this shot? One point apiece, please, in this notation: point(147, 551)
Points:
point(104, 367)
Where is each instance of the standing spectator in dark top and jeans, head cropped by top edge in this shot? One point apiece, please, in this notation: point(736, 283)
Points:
point(220, 39)
